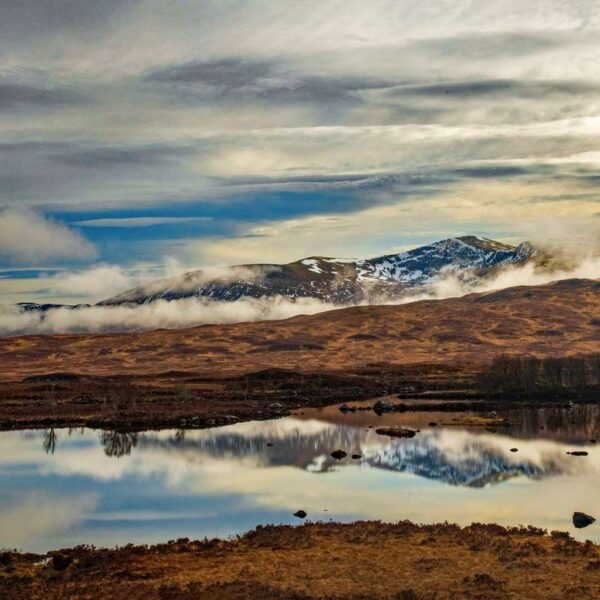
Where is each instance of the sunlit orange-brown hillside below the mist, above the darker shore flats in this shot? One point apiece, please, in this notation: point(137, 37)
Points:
point(561, 318)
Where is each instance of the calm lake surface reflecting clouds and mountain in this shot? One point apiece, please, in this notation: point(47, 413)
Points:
point(62, 487)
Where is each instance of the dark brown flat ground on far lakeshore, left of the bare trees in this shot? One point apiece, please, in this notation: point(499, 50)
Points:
point(183, 399)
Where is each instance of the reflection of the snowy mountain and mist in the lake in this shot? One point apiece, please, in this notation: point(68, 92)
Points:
point(447, 455)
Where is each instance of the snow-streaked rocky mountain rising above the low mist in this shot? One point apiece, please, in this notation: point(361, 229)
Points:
point(341, 281)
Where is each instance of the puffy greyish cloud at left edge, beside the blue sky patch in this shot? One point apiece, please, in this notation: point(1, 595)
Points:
point(27, 236)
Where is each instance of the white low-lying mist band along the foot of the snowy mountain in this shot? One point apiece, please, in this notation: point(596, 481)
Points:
point(197, 311)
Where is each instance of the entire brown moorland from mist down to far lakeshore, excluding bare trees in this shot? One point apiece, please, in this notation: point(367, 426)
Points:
point(222, 373)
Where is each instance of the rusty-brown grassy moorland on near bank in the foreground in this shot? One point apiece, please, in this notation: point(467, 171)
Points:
point(356, 561)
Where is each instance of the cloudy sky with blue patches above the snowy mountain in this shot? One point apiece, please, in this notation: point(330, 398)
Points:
point(142, 138)
